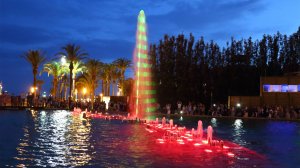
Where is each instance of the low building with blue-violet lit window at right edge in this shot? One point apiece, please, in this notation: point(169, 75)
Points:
point(284, 91)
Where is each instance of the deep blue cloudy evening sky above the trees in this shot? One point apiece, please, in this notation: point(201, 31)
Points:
point(106, 28)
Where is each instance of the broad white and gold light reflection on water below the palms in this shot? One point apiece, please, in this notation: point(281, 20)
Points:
point(55, 140)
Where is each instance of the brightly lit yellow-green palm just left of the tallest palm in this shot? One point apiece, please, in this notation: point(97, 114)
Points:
point(56, 70)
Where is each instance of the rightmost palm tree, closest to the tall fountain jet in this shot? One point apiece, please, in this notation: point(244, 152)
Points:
point(122, 64)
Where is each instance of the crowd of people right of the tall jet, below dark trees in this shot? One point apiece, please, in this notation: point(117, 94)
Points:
point(271, 112)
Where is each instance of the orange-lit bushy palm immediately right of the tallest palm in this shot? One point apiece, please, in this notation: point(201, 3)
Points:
point(91, 77)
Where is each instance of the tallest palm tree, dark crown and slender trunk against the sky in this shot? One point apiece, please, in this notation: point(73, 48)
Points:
point(73, 53)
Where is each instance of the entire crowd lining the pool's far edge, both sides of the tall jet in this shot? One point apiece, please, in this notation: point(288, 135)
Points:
point(271, 112)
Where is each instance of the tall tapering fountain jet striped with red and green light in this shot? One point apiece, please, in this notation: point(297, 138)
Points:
point(142, 100)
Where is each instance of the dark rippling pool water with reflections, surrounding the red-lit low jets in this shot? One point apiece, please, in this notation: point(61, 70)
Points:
point(58, 138)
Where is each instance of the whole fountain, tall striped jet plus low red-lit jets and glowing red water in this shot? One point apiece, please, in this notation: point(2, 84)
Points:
point(166, 135)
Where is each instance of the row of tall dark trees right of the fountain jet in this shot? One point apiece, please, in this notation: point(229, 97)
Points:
point(194, 70)
